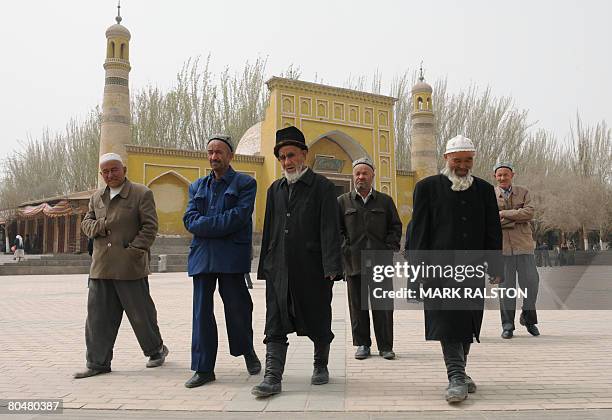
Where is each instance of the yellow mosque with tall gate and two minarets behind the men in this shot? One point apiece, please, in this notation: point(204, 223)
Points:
point(340, 125)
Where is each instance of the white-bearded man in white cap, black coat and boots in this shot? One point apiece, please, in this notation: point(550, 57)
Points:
point(454, 212)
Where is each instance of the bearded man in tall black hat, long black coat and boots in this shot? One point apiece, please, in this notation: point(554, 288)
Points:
point(300, 259)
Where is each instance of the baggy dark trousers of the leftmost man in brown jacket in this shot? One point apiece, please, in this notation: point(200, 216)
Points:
point(106, 302)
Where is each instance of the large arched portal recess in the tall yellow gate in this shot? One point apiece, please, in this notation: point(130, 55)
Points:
point(331, 154)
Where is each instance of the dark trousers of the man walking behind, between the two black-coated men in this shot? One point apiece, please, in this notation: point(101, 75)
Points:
point(358, 296)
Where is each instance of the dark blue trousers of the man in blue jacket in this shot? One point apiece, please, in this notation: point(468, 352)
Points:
point(238, 308)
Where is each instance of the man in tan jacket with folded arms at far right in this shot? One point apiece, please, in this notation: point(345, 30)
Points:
point(515, 213)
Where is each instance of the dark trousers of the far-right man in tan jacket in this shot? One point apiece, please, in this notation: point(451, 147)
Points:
point(528, 278)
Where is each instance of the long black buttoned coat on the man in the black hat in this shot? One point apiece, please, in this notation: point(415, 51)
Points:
point(300, 248)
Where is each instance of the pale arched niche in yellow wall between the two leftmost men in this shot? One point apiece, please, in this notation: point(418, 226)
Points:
point(170, 190)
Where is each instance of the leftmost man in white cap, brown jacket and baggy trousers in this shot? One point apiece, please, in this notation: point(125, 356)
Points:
point(122, 222)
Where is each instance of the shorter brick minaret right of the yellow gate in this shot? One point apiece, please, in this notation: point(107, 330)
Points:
point(423, 153)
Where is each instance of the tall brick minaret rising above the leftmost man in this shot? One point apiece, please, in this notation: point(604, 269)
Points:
point(115, 131)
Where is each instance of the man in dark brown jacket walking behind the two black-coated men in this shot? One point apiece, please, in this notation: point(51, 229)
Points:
point(368, 221)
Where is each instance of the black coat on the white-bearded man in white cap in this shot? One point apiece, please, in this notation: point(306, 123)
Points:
point(444, 219)
